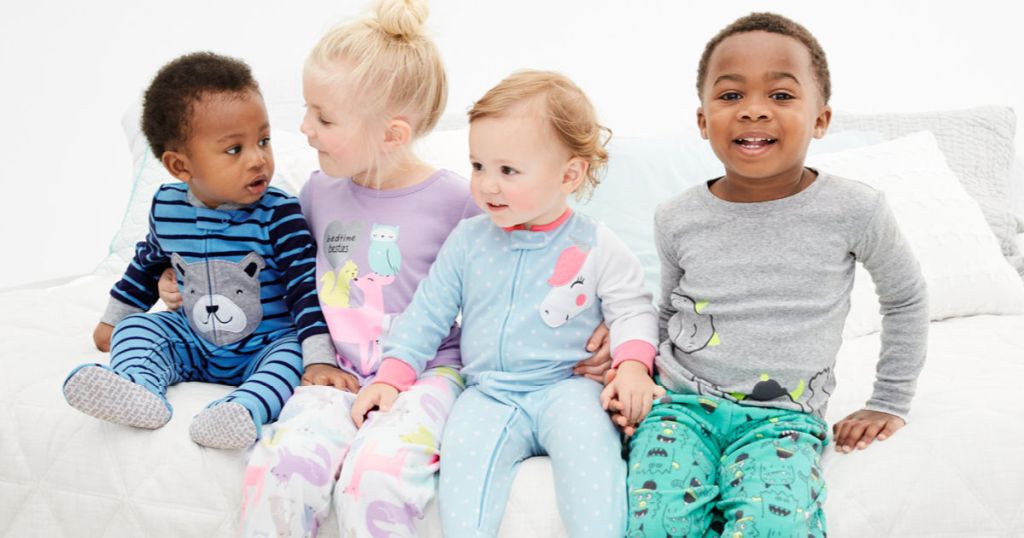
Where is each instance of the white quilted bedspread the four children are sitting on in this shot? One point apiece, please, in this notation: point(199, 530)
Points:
point(957, 470)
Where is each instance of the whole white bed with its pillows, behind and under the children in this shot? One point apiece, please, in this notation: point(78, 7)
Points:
point(955, 471)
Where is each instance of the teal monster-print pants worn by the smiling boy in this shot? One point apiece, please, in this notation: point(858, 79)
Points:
point(701, 466)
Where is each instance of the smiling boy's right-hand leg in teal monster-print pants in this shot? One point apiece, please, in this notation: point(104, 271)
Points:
point(772, 477)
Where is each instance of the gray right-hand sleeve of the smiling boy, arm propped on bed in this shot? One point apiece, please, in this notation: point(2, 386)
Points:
point(904, 301)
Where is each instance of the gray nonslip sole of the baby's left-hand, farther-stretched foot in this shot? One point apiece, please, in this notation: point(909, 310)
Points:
point(107, 396)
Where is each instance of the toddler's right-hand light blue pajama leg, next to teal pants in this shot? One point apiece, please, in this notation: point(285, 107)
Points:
point(586, 454)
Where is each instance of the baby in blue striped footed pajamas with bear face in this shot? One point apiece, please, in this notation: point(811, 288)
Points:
point(244, 259)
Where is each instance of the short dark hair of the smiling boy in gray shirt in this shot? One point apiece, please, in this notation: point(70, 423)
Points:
point(775, 24)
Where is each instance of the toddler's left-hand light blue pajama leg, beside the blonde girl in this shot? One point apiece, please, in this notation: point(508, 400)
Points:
point(484, 443)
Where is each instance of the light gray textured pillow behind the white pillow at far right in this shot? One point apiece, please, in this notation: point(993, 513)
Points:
point(978, 145)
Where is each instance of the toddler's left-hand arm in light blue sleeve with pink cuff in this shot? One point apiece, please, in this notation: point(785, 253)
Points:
point(416, 334)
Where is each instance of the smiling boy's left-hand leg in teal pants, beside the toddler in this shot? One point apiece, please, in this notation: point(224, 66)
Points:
point(672, 471)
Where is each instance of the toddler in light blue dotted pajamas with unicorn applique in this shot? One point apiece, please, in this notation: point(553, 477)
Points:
point(531, 278)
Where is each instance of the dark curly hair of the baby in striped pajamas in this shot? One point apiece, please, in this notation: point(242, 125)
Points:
point(168, 103)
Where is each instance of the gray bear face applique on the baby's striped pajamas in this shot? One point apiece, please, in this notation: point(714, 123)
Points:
point(222, 299)
